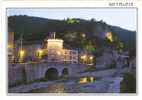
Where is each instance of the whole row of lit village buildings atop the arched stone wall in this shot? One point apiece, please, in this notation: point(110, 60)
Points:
point(51, 50)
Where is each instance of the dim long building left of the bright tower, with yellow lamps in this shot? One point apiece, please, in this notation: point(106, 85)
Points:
point(32, 50)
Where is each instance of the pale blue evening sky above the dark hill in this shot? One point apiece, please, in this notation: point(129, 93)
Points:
point(123, 17)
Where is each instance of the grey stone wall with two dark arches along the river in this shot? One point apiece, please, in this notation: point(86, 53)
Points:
point(32, 71)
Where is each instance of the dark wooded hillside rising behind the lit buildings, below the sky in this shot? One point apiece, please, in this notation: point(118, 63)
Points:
point(76, 32)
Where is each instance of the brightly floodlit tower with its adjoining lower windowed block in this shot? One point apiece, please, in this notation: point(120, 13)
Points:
point(56, 52)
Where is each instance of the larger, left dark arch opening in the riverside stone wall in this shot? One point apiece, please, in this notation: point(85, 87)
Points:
point(51, 74)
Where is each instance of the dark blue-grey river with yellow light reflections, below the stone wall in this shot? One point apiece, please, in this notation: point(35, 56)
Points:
point(82, 85)
